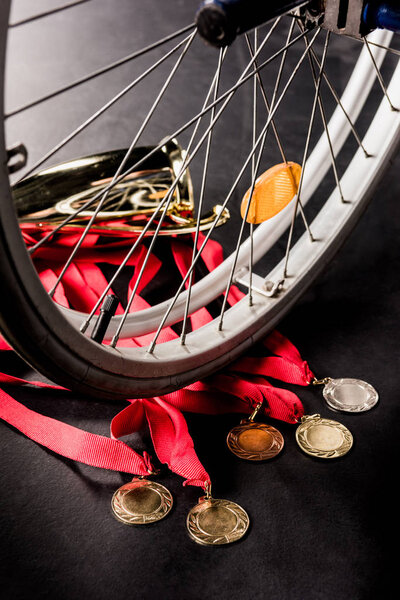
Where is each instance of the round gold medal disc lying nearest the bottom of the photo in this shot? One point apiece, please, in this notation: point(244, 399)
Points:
point(214, 522)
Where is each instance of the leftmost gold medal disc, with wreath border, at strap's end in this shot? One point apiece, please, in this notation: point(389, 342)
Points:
point(140, 502)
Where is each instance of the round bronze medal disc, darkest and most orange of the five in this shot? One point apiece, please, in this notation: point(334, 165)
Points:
point(255, 441)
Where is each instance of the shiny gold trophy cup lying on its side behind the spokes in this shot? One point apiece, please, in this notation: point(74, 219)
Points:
point(46, 199)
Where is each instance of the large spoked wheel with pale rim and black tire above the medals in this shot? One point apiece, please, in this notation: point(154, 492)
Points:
point(179, 93)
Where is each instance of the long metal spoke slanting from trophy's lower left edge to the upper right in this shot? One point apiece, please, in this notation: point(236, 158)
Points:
point(226, 95)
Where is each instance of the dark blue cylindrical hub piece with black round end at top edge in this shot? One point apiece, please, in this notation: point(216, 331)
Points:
point(220, 21)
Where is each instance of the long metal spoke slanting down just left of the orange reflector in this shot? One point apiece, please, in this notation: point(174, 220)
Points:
point(242, 170)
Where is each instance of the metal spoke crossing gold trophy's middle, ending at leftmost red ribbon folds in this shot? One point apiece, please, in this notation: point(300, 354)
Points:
point(124, 161)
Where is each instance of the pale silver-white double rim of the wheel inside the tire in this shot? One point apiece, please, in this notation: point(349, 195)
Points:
point(266, 235)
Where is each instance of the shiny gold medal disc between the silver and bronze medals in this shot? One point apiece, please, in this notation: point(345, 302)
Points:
point(323, 438)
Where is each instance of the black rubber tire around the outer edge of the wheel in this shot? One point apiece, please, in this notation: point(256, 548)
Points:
point(38, 332)
